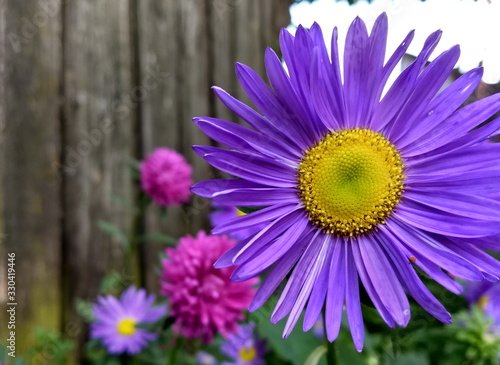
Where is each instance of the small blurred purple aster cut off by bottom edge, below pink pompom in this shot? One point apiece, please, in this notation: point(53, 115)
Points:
point(244, 347)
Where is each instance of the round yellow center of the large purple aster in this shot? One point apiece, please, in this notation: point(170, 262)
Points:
point(351, 181)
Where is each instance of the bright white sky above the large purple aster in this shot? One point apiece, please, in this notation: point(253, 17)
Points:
point(475, 25)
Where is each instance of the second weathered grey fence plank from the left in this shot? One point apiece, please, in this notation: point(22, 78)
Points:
point(98, 116)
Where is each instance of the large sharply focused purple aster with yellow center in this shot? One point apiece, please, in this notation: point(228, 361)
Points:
point(359, 187)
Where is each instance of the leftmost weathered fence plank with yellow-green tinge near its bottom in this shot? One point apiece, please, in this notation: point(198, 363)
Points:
point(31, 214)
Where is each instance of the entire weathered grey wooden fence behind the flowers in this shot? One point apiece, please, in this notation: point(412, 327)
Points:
point(84, 86)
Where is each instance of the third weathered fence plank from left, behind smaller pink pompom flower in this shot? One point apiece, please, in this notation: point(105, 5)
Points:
point(160, 122)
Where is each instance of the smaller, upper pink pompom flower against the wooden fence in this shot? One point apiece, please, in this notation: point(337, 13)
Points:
point(166, 177)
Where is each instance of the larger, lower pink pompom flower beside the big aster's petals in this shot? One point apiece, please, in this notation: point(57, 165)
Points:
point(203, 299)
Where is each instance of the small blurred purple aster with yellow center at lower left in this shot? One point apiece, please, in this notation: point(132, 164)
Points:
point(116, 321)
